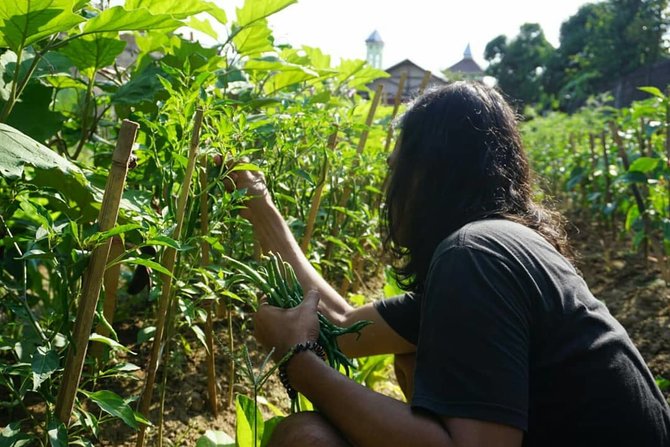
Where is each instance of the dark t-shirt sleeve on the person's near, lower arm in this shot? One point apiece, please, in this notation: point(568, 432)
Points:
point(472, 353)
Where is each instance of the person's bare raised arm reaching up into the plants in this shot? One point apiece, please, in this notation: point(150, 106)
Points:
point(275, 236)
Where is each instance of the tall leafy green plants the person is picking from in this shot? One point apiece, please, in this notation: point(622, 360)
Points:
point(65, 83)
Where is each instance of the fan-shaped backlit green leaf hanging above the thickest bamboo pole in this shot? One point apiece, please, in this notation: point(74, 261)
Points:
point(93, 52)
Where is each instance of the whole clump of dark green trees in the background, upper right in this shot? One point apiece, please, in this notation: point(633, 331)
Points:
point(599, 44)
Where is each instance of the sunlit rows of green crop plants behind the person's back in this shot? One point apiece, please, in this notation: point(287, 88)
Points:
point(581, 161)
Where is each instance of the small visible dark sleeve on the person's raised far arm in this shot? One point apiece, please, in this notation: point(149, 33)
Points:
point(402, 314)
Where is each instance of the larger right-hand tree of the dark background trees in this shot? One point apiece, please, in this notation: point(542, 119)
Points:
point(603, 42)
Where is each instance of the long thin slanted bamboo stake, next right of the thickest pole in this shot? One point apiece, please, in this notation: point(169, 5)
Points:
point(168, 260)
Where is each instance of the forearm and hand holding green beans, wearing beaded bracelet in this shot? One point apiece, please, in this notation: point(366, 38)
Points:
point(365, 417)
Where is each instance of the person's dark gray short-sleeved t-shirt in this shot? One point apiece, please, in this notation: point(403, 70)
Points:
point(508, 332)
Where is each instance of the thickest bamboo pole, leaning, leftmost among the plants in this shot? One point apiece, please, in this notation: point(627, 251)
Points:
point(87, 304)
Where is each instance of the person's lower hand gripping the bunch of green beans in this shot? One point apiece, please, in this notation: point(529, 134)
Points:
point(282, 329)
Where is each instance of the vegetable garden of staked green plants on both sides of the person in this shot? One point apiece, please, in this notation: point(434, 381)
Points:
point(117, 138)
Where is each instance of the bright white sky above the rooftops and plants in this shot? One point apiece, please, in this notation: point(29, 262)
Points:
point(432, 33)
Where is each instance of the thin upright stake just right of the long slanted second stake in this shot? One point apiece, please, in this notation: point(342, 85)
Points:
point(204, 262)
